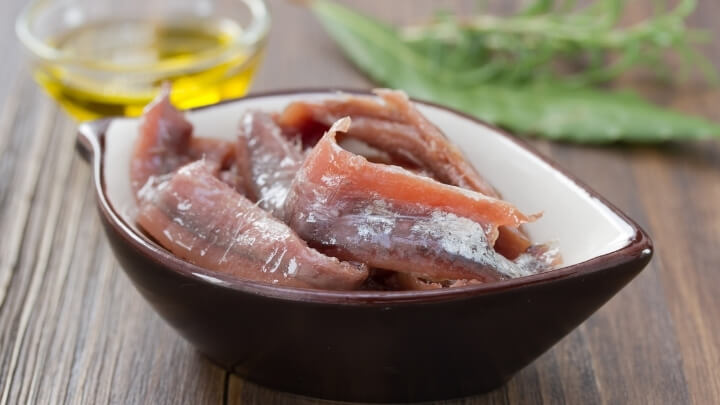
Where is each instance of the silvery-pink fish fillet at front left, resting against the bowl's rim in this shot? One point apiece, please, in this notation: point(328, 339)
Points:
point(204, 221)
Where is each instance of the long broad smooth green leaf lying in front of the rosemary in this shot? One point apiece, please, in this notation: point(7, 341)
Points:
point(548, 108)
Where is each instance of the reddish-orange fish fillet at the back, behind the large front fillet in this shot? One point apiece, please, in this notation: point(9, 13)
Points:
point(398, 128)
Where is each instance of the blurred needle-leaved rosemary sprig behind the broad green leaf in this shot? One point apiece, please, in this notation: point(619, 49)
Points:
point(541, 42)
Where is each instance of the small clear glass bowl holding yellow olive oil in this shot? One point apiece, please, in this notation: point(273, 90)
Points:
point(101, 58)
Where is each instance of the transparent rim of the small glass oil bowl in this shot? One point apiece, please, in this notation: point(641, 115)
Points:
point(253, 35)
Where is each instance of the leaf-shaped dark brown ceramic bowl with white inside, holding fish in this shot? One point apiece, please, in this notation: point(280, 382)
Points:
point(381, 346)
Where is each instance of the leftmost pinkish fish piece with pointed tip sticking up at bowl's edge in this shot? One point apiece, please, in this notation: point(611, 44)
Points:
point(166, 142)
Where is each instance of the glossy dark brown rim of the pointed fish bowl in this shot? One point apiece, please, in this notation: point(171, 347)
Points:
point(91, 145)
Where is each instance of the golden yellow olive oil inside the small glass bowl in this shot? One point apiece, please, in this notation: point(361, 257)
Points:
point(114, 68)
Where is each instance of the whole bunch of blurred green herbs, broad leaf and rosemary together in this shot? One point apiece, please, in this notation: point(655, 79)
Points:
point(514, 71)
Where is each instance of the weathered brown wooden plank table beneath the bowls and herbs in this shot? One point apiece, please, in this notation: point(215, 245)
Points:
point(74, 330)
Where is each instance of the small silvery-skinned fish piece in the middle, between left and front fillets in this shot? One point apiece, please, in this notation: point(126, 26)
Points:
point(268, 160)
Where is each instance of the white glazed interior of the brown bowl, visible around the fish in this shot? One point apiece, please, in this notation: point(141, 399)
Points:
point(580, 225)
